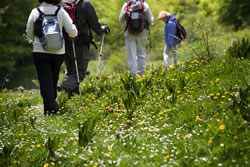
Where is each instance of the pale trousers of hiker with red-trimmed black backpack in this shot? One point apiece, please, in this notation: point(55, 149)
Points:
point(136, 54)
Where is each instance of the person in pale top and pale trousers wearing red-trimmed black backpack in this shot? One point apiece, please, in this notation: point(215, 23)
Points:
point(136, 39)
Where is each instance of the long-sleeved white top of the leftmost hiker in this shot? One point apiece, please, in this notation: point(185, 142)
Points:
point(64, 22)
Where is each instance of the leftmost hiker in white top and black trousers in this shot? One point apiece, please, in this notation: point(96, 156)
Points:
point(48, 62)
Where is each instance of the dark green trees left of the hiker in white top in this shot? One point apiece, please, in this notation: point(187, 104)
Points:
point(13, 17)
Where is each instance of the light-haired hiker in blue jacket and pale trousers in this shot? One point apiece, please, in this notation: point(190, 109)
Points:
point(170, 37)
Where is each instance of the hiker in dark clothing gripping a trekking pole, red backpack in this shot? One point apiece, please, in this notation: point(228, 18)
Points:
point(86, 20)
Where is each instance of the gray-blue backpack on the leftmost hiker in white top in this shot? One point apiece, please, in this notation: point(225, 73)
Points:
point(51, 38)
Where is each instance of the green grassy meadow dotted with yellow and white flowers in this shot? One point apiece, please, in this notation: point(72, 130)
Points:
point(181, 116)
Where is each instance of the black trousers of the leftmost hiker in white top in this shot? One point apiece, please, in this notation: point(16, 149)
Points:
point(48, 67)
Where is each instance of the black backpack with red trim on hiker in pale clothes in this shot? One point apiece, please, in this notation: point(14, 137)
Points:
point(135, 16)
